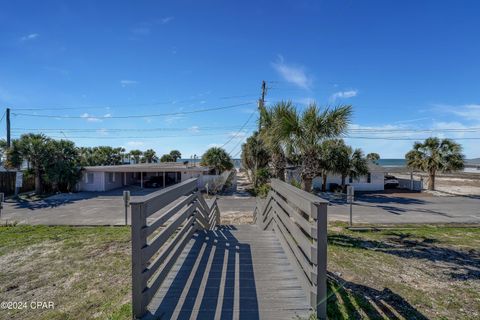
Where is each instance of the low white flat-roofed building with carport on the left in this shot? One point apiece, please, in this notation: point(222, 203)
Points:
point(104, 178)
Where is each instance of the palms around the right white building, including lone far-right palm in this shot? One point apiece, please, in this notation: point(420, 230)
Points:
point(310, 140)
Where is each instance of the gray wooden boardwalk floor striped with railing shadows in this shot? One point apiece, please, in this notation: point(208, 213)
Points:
point(233, 272)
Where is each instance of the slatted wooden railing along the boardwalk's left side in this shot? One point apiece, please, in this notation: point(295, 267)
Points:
point(175, 214)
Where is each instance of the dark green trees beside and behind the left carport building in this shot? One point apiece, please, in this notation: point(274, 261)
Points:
point(56, 164)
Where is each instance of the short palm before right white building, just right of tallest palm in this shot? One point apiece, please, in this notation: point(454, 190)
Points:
point(350, 163)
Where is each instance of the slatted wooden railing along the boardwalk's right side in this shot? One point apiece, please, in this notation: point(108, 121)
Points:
point(300, 222)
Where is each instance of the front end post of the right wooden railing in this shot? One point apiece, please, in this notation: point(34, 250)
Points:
point(320, 211)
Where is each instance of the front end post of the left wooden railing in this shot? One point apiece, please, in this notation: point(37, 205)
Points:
point(138, 221)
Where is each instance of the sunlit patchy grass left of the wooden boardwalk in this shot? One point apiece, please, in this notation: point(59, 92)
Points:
point(85, 271)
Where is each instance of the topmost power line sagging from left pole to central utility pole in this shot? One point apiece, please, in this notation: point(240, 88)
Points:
point(132, 116)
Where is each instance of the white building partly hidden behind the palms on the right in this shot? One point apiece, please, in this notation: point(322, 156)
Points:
point(373, 181)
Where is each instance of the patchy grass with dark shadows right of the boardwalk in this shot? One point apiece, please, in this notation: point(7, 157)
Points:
point(411, 272)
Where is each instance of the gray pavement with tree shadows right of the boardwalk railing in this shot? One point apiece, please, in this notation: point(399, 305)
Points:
point(402, 207)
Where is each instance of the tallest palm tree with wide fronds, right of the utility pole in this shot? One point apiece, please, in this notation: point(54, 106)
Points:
point(303, 133)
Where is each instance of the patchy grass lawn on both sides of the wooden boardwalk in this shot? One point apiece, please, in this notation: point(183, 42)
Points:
point(401, 272)
